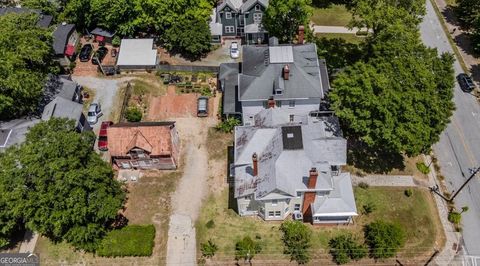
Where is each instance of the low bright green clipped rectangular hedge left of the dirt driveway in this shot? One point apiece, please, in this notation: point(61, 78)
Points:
point(131, 240)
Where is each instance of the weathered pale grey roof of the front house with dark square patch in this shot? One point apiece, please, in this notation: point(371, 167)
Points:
point(280, 168)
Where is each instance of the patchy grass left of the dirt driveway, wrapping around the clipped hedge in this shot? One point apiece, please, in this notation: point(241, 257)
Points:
point(148, 203)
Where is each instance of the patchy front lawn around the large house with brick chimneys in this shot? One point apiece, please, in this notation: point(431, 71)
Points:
point(417, 214)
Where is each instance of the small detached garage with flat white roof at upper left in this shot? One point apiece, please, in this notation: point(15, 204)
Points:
point(137, 54)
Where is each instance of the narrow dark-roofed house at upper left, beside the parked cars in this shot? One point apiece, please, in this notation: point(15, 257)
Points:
point(65, 40)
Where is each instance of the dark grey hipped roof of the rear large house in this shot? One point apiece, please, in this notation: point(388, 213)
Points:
point(259, 75)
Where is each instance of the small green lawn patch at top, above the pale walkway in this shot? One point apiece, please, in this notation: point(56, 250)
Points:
point(335, 15)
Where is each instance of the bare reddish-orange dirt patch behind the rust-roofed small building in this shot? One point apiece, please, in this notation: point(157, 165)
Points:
point(173, 105)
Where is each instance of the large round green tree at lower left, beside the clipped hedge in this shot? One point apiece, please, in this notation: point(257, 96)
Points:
point(63, 189)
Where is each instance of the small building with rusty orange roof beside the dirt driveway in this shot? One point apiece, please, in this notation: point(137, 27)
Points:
point(144, 145)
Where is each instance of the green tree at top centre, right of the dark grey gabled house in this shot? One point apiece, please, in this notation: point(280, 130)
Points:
point(283, 18)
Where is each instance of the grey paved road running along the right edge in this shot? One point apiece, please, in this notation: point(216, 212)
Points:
point(459, 145)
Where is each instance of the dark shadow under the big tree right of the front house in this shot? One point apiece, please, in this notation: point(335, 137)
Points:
point(373, 160)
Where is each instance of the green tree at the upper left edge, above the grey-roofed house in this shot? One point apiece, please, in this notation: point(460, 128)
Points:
point(24, 63)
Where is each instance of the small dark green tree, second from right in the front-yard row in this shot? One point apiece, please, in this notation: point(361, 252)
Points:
point(344, 248)
